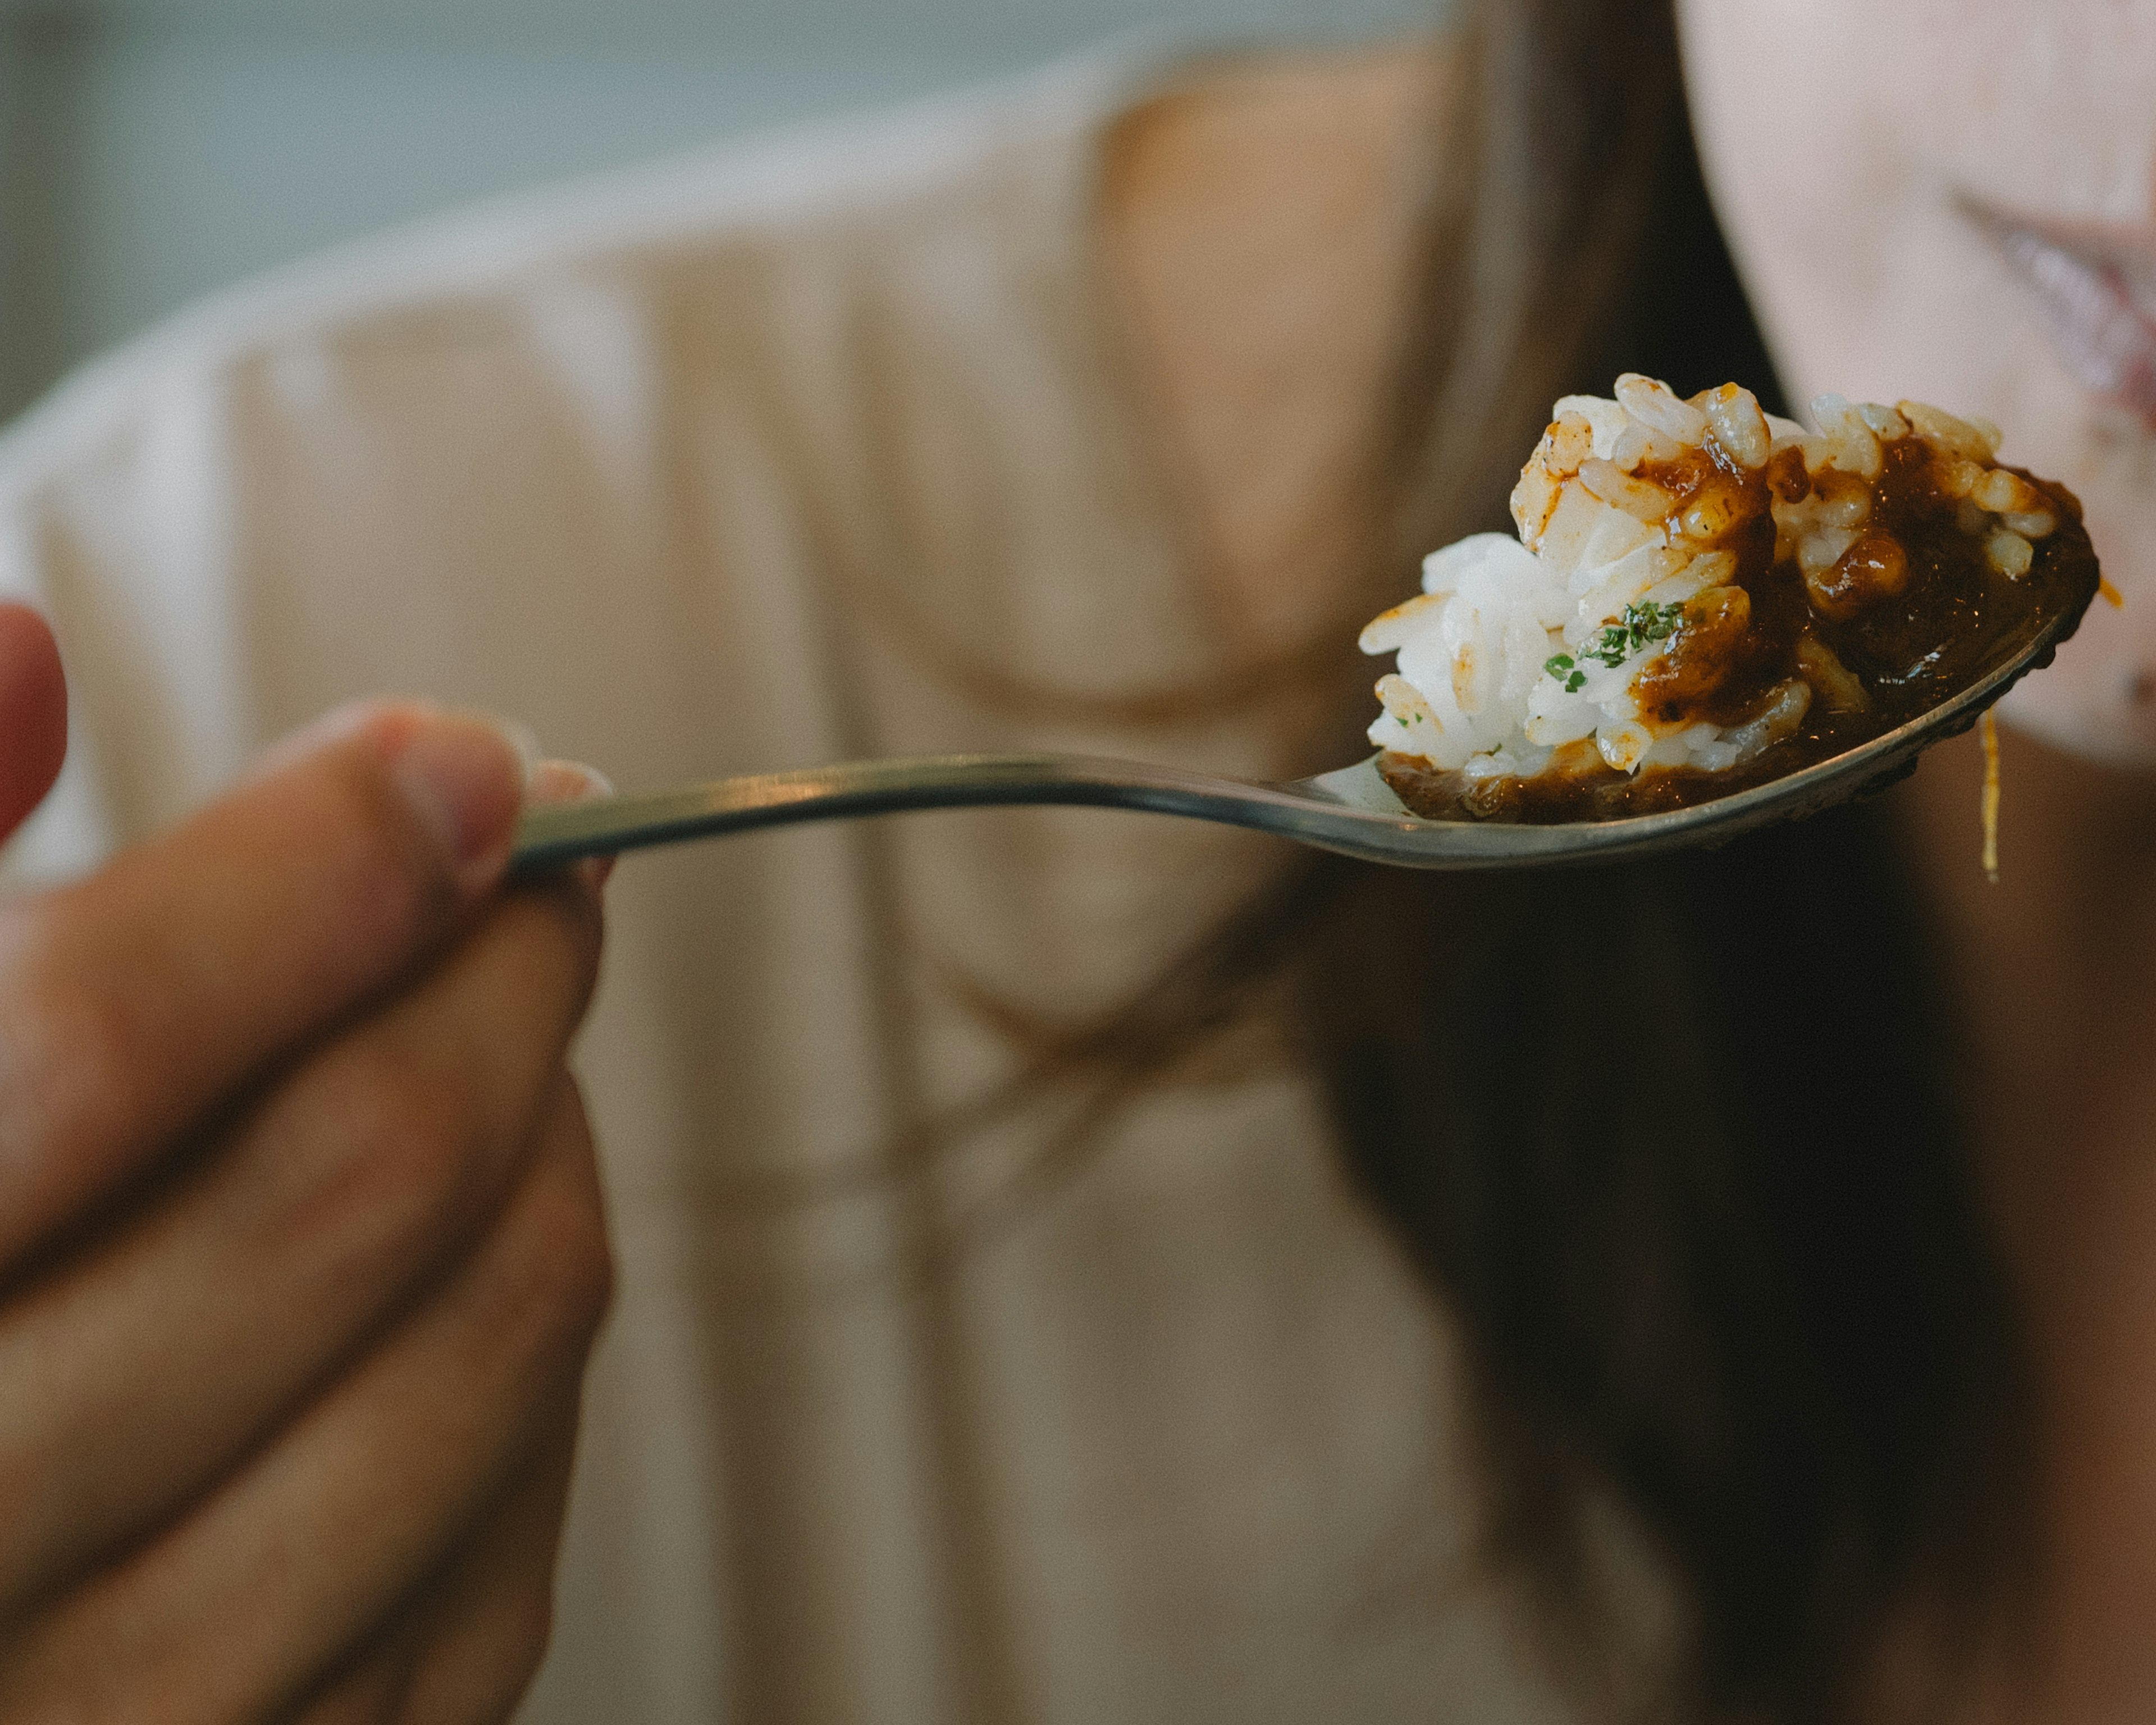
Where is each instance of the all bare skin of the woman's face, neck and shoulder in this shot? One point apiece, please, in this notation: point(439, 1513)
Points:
point(1262, 271)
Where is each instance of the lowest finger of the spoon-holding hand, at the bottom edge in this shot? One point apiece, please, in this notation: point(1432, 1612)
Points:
point(467, 1648)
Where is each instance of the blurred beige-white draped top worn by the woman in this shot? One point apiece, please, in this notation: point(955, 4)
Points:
point(818, 452)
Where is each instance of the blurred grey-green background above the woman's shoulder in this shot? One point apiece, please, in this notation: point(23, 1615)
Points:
point(158, 150)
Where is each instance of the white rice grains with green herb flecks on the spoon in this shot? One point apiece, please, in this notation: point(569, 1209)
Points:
point(1495, 657)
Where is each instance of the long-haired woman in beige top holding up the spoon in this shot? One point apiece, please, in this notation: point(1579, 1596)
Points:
point(1079, 1267)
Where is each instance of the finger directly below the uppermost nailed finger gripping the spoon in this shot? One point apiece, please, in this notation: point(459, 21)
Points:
point(152, 1366)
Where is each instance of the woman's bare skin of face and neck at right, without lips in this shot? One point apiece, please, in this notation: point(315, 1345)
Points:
point(1879, 240)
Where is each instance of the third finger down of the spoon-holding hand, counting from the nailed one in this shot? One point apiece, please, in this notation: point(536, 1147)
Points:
point(245, 1605)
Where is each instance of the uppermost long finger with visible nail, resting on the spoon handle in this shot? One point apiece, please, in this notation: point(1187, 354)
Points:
point(139, 999)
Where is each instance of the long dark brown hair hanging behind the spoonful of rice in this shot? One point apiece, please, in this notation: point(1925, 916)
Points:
point(1676, 1142)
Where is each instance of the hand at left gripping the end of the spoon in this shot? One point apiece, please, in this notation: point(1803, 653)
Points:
point(301, 1239)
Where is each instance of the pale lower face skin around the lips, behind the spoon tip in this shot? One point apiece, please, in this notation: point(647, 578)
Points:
point(1870, 243)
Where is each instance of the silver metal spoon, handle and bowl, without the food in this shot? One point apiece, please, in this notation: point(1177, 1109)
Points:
point(1349, 812)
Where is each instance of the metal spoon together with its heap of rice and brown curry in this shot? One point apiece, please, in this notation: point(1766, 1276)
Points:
point(1711, 622)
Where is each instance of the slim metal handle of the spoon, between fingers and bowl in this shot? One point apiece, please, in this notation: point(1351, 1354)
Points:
point(603, 827)
